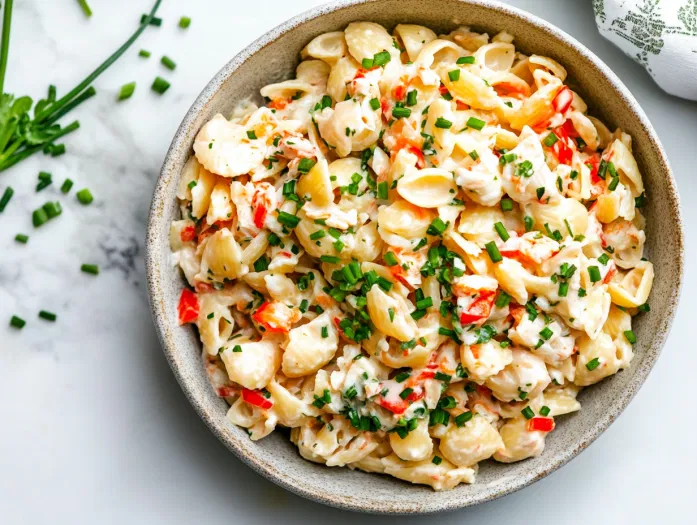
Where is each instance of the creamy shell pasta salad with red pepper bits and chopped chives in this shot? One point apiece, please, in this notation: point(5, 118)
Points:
point(414, 255)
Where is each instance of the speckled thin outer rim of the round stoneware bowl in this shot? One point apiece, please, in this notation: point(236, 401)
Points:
point(160, 314)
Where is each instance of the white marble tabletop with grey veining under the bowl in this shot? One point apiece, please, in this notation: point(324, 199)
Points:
point(94, 428)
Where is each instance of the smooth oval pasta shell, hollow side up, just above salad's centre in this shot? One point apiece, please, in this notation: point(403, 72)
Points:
point(428, 188)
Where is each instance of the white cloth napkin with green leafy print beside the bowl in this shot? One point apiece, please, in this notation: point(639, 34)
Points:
point(659, 34)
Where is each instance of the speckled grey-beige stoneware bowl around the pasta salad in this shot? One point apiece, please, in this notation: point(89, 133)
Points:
point(273, 58)
